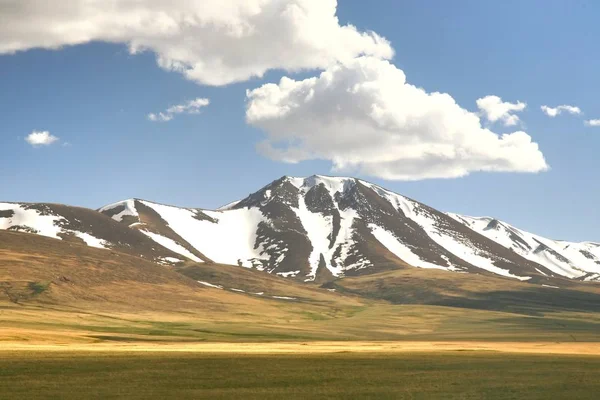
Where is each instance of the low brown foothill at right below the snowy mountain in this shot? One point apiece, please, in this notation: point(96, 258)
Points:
point(435, 287)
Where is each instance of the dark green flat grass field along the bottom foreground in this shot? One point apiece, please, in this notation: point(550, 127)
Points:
point(449, 375)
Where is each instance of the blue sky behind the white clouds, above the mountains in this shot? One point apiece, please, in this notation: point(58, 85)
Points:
point(96, 97)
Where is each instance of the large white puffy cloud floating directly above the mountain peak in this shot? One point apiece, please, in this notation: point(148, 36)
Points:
point(363, 117)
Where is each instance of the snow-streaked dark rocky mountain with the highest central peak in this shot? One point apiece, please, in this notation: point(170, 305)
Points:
point(319, 228)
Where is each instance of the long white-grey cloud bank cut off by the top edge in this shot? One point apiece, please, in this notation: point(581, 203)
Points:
point(213, 42)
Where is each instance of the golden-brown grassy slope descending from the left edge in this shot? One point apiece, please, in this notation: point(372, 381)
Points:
point(68, 272)
